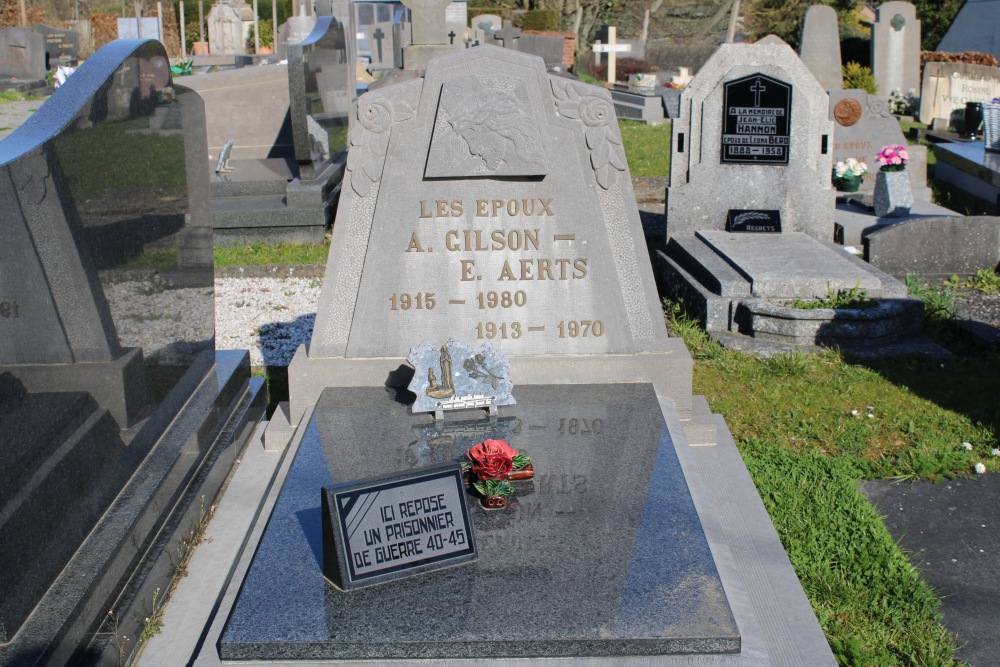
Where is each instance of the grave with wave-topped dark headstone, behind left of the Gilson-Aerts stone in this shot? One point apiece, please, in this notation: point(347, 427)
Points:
point(288, 125)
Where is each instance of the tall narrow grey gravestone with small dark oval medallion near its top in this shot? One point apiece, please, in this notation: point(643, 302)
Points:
point(895, 50)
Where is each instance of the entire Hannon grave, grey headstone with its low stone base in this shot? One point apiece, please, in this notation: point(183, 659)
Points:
point(750, 211)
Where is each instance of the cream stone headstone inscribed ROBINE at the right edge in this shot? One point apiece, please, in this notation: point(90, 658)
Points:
point(947, 87)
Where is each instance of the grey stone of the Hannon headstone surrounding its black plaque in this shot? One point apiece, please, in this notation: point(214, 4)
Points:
point(702, 189)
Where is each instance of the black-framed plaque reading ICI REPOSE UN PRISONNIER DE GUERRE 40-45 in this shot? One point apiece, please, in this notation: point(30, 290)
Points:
point(392, 527)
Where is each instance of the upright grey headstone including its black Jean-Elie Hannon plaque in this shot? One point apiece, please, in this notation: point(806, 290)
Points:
point(754, 133)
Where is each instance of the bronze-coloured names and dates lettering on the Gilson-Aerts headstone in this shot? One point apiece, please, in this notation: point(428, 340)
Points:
point(512, 241)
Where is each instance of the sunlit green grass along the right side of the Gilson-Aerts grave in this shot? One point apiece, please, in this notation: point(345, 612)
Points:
point(808, 428)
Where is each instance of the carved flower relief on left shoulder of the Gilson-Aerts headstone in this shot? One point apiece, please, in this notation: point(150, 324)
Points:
point(370, 140)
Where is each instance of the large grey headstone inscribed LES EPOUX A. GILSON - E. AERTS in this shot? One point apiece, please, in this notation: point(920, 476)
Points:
point(501, 194)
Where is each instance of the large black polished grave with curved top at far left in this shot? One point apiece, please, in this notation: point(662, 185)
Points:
point(116, 411)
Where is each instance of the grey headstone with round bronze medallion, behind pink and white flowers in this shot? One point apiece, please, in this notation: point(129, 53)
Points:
point(862, 126)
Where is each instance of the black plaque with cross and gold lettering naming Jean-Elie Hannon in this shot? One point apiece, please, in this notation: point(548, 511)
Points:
point(756, 120)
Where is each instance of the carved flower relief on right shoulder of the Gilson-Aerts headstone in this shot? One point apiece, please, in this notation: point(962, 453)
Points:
point(607, 157)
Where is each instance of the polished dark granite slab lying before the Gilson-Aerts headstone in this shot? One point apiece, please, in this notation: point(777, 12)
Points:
point(602, 554)
